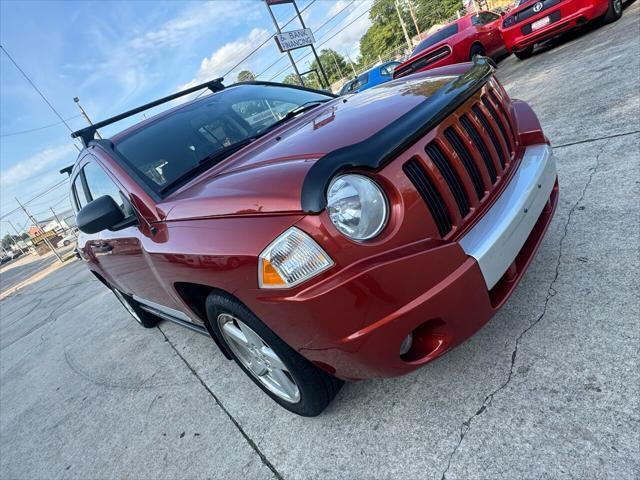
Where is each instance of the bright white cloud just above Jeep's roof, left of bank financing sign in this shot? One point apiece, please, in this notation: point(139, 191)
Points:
point(226, 57)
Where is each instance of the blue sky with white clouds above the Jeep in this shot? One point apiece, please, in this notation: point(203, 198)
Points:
point(116, 55)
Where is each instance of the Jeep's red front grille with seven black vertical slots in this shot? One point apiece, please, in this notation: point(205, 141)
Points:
point(464, 160)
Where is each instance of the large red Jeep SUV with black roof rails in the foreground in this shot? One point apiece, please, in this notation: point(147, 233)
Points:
point(319, 239)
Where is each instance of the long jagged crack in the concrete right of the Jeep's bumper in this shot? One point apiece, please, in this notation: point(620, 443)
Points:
point(551, 292)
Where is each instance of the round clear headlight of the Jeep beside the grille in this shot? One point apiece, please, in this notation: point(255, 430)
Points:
point(357, 206)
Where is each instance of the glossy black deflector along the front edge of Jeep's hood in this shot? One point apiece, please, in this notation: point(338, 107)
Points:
point(380, 148)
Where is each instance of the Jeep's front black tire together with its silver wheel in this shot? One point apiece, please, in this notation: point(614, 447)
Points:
point(307, 390)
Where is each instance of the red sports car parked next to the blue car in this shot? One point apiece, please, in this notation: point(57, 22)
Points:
point(458, 42)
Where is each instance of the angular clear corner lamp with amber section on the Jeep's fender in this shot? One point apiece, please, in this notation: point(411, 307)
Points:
point(290, 259)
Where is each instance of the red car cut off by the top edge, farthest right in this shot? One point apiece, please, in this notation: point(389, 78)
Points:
point(534, 21)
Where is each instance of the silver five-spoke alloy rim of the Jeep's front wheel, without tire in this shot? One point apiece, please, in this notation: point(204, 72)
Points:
point(258, 358)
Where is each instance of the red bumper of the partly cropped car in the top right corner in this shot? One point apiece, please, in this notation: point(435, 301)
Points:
point(565, 16)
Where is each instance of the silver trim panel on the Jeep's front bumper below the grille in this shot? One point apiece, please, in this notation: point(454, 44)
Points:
point(498, 237)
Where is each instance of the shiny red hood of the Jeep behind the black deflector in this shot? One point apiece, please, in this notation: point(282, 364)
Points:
point(266, 177)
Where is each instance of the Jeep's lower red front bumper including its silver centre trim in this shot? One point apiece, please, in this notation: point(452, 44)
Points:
point(367, 310)
